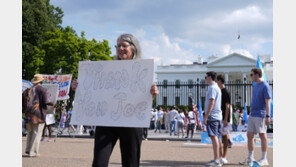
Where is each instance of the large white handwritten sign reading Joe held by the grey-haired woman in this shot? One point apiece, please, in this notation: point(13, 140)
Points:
point(113, 93)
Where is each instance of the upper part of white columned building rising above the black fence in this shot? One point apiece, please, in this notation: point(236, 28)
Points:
point(234, 66)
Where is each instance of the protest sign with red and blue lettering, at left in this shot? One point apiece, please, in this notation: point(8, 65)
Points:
point(64, 82)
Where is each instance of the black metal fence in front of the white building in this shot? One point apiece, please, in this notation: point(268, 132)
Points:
point(182, 93)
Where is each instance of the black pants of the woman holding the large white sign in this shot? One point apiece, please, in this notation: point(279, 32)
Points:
point(130, 145)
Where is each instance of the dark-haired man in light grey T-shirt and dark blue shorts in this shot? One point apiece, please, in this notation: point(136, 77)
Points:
point(213, 117)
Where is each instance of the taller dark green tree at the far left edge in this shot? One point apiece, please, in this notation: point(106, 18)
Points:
point(38, 17)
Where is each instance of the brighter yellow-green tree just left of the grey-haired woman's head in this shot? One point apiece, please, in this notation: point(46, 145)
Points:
point(63, 49)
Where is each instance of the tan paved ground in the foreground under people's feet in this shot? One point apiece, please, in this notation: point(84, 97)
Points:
point(78, 152)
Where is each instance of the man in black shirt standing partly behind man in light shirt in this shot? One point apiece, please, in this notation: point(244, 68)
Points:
point(225, 126)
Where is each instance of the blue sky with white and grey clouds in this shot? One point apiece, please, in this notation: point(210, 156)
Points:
point(174, 31)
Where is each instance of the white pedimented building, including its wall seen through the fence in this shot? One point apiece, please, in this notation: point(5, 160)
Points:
point(235, 67)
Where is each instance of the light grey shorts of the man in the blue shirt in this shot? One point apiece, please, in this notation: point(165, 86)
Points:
point(257, 125)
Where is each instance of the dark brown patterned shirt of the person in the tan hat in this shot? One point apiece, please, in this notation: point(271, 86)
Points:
point(31, 106)
